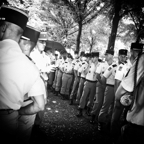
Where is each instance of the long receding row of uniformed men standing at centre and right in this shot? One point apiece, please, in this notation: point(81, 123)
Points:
point(94, 82)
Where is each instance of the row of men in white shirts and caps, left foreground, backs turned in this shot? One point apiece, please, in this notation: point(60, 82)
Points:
point(23, 92)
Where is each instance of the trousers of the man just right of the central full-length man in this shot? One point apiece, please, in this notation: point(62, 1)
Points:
point(99, 100)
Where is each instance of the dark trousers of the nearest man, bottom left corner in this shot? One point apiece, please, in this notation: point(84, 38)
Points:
point(8, 126)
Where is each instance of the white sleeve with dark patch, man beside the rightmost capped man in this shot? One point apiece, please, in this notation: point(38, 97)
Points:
point(119, 73)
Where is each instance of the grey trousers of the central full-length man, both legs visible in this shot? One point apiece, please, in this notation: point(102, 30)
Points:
point(88, 94)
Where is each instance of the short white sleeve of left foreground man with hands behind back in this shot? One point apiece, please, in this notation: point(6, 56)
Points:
point(37, 89)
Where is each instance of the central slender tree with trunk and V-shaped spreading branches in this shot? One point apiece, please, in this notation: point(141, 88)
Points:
point(83, 12)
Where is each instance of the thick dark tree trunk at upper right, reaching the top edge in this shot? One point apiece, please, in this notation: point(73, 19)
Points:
point(114, 28)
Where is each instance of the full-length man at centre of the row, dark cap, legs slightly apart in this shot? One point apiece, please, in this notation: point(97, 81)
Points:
point(89, 86)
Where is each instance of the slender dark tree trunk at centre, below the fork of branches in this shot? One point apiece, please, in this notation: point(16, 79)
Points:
point(79, 37)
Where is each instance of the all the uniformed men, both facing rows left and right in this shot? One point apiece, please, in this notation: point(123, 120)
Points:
point(101, 87)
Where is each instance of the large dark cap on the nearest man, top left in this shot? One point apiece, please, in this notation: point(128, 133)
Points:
point(13, 15)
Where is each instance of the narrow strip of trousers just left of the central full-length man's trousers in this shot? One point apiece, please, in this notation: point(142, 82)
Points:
point(80, 89)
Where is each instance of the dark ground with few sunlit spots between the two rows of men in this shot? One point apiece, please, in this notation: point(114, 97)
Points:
point(60, 124)
